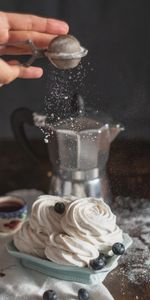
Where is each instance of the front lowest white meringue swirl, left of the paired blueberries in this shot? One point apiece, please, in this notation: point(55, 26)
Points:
point(67, 250)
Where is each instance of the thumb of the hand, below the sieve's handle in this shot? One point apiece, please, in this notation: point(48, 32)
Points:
point(10, 71)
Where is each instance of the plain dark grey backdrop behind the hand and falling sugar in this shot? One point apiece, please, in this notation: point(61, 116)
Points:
point(117, 35)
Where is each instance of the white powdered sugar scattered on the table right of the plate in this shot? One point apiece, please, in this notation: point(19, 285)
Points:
point(134, 217)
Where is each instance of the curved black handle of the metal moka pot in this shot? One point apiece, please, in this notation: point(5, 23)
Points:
point(19, 118)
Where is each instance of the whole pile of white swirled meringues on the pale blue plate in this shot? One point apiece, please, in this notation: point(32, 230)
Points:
point(71, 231)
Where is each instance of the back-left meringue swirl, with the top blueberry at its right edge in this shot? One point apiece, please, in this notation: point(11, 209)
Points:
point(43, 216)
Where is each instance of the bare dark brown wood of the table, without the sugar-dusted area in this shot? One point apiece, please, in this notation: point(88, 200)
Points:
point(129, 173)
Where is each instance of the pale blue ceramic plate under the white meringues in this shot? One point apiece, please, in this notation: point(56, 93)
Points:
point(69, 273)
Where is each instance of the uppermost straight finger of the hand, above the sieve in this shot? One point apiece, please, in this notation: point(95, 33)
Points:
point(34, 23)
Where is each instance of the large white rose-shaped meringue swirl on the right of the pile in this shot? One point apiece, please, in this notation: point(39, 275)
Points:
point(91, 220)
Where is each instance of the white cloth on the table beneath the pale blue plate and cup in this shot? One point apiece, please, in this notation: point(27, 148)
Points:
point(18, 283)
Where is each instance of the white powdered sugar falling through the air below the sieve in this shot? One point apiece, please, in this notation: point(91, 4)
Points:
point(61, 86)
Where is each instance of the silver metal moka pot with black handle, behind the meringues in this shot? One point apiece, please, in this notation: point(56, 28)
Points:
point(78, 148)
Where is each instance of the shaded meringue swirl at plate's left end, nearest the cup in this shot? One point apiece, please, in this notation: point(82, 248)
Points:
point(28, 241)
